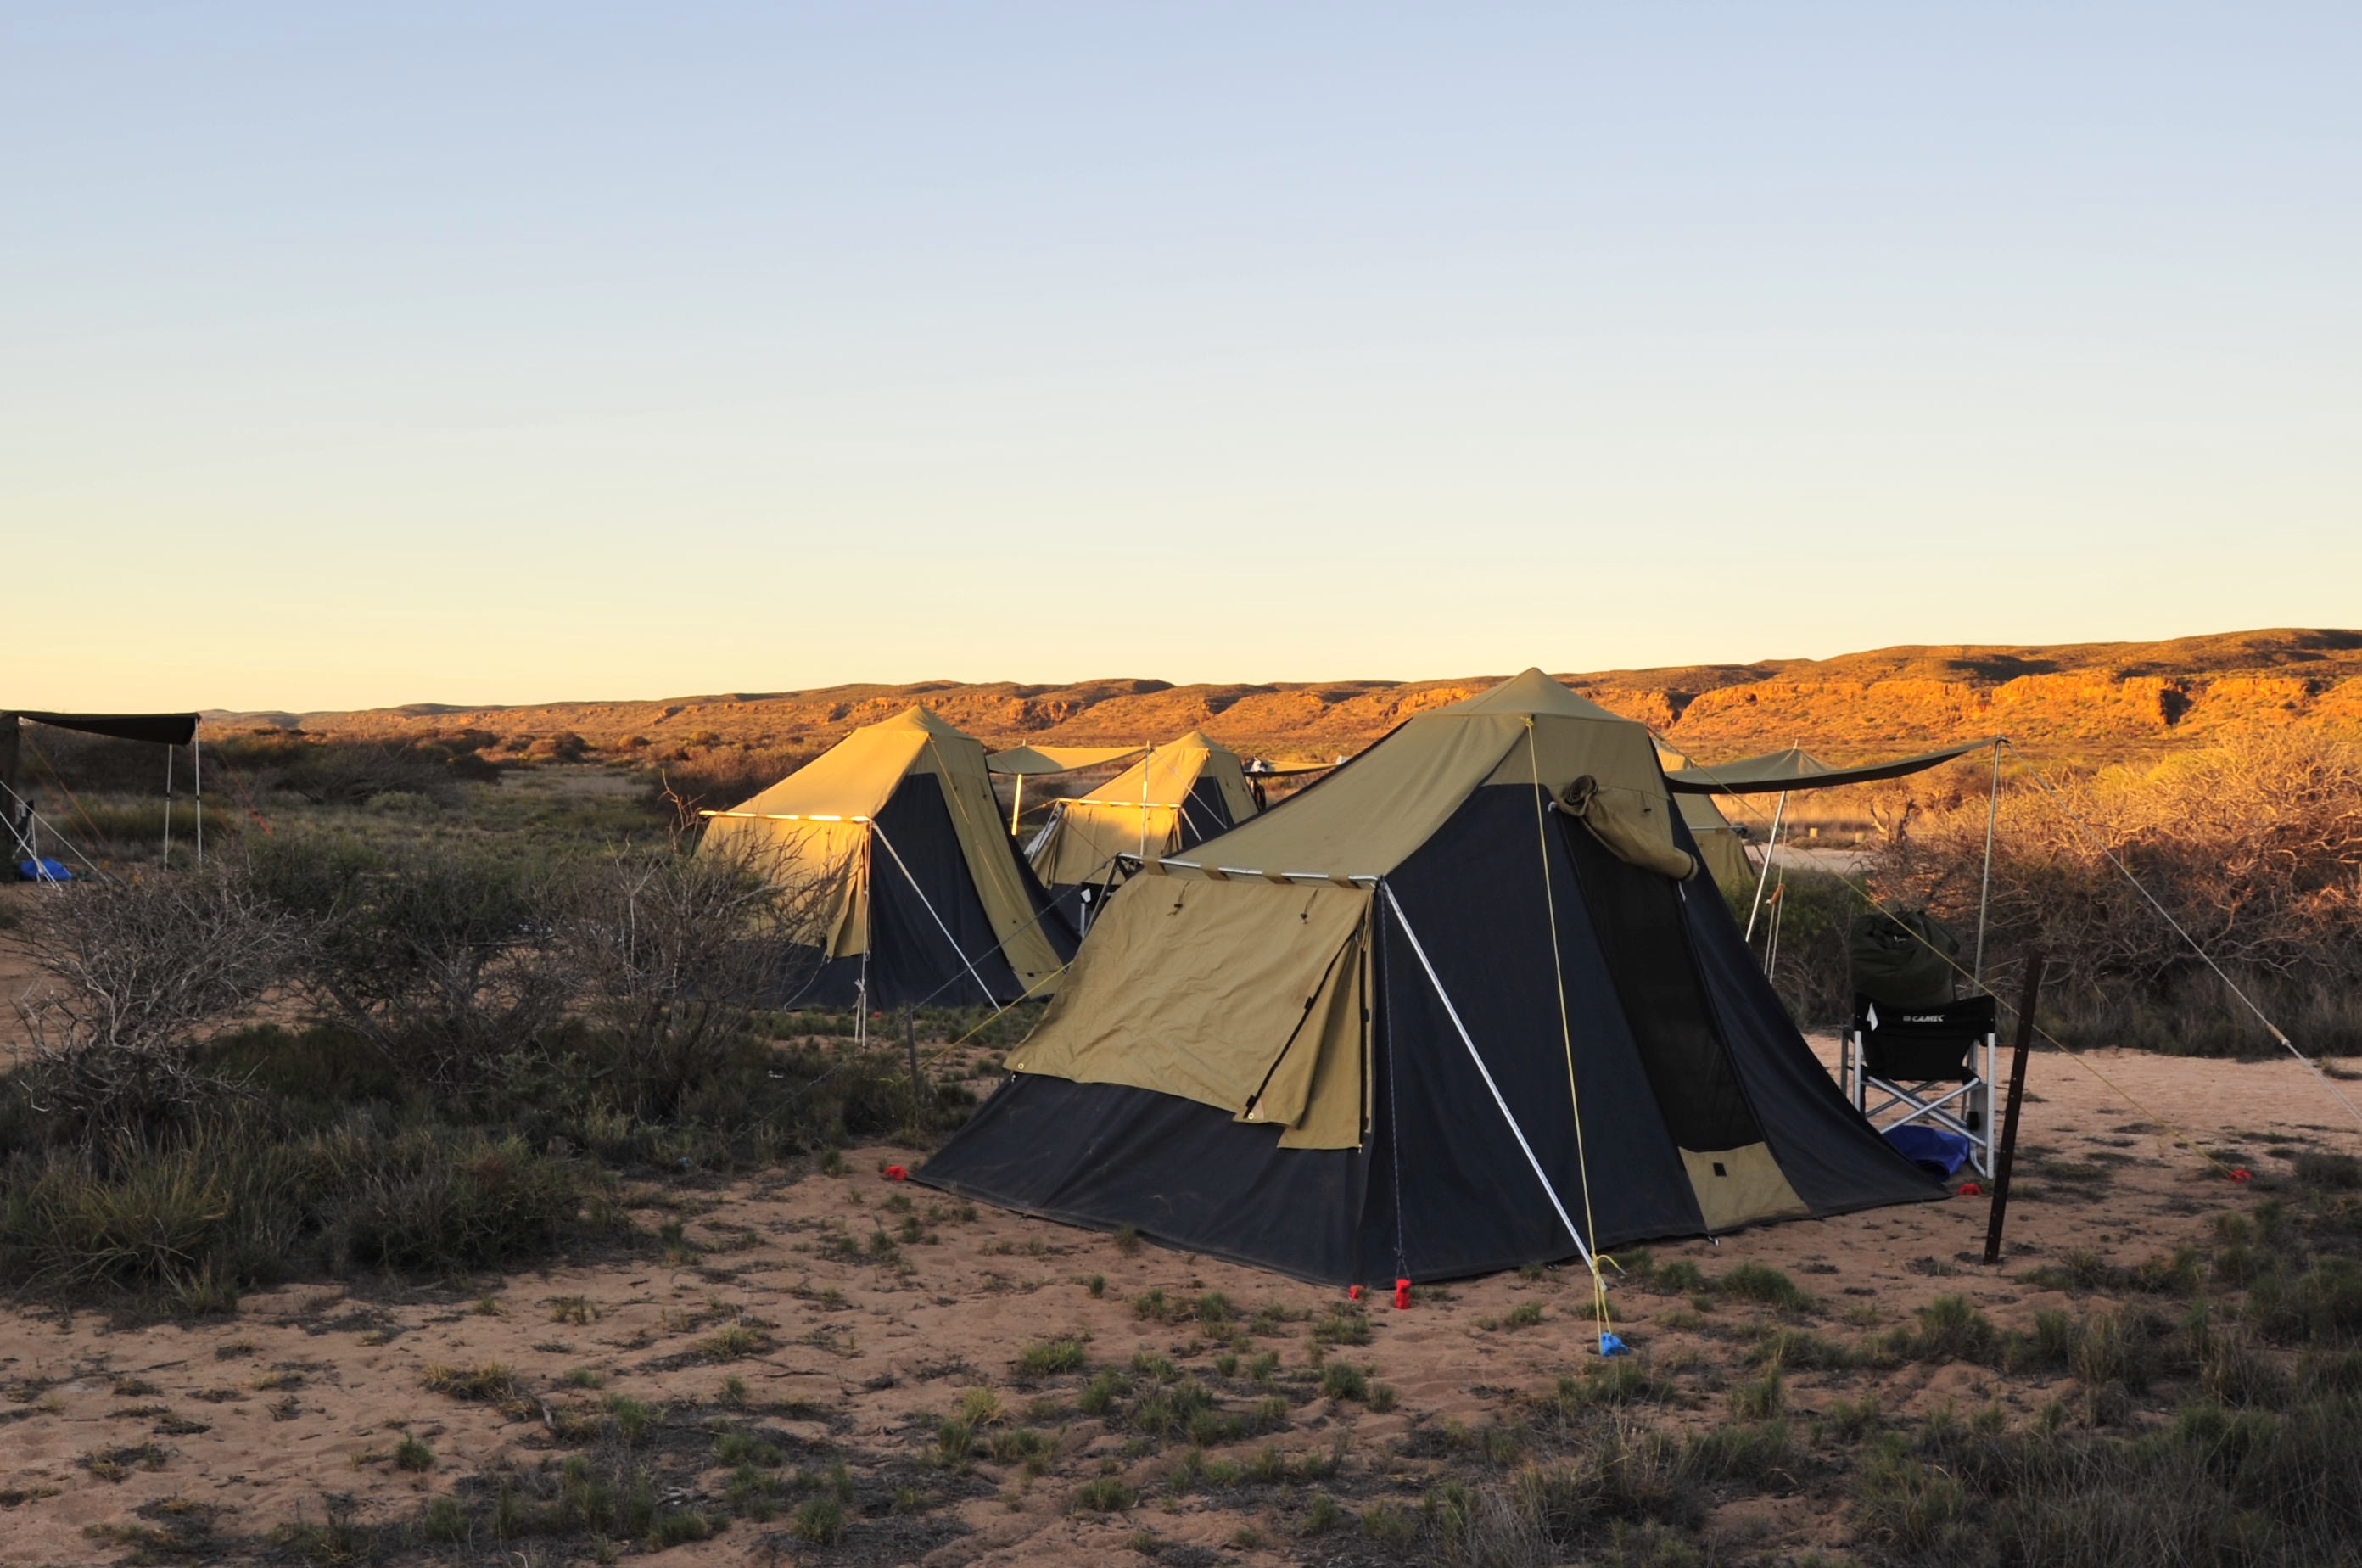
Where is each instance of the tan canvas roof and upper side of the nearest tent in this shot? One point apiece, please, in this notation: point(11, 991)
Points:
point(1258, 936)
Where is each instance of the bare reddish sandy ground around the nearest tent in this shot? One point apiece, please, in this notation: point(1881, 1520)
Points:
point(306, 1392)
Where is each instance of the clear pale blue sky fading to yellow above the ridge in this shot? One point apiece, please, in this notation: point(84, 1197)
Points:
point(507, 353)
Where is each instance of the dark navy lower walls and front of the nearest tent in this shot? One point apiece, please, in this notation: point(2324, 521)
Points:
point(1440, 1187)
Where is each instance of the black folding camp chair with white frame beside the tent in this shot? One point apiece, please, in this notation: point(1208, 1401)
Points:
point(1929, 1064)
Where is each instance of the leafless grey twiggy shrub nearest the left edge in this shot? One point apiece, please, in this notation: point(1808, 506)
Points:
point(136, 972)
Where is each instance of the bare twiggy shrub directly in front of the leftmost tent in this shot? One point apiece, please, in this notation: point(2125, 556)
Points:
point(677, 955)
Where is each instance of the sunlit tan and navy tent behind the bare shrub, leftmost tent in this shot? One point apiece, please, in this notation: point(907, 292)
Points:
point(932, 903)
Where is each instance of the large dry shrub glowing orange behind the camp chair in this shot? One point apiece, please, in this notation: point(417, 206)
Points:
point(2252, 847)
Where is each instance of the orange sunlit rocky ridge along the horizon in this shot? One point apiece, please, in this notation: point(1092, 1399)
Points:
point(2096, 698)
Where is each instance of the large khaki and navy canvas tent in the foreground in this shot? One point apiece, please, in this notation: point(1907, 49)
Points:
point(1459, 1007)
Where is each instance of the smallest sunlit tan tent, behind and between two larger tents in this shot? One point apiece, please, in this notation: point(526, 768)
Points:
point(1177, 797)
